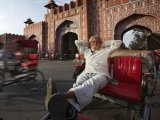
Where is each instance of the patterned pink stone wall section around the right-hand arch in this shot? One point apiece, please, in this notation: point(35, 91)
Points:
point(119, 18)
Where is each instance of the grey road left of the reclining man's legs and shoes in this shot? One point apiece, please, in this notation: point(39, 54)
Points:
point(18, 103)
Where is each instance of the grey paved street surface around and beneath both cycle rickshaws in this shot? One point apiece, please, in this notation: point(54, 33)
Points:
point(19, 103)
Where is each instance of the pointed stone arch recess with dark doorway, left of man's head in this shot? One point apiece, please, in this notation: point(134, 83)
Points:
point(66, 33)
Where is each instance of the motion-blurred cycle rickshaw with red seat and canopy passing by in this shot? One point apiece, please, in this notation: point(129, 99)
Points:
point(23, 70)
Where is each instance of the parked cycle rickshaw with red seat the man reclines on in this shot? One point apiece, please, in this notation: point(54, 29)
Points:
point(133, 91)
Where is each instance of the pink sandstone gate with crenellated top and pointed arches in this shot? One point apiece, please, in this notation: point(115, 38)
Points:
point(108, 18)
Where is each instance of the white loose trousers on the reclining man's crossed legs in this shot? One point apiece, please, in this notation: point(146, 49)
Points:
point(87, 84)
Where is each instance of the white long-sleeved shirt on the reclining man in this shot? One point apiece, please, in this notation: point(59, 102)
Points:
point(97, 62)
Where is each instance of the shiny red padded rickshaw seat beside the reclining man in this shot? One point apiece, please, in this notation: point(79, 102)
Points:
point(127, 70)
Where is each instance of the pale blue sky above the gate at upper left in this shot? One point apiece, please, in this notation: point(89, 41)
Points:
point(13, 13)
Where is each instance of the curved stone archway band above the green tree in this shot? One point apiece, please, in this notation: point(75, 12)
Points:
point(146, 21)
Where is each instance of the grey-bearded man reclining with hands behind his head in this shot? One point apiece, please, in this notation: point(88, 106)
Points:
point(94, 77)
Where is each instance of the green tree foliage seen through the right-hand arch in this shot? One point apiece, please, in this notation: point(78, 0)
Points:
point(139, 39)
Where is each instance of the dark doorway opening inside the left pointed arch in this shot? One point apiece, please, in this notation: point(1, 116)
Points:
point(68, 45)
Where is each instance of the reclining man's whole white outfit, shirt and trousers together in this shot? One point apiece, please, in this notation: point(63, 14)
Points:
point(95, 75)
